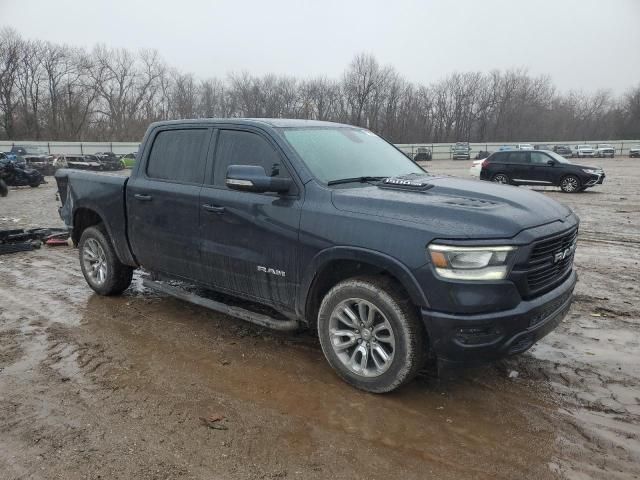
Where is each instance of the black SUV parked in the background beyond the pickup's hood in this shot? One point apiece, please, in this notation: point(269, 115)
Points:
point(539, 167)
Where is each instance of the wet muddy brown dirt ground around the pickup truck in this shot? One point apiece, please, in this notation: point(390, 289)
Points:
point(94, 387)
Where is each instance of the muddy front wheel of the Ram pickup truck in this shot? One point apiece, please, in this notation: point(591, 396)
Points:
point(397, 331)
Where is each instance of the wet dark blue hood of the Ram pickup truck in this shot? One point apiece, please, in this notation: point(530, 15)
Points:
point(452, 207)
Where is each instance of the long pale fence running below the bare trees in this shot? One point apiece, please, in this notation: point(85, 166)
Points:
point(440, 151)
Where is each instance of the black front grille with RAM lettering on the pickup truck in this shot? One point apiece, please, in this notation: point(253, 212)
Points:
point(550, 261)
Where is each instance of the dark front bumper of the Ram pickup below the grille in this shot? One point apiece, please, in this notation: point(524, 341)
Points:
point(467, 340)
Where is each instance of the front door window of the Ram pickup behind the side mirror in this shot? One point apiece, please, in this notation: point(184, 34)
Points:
point(235, 147)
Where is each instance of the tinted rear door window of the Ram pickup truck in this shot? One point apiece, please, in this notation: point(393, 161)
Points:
point(178, 155)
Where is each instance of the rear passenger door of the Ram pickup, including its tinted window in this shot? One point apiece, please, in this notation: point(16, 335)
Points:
point(163, 201)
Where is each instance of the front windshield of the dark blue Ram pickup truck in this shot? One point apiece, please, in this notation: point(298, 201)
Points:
point(335, 153)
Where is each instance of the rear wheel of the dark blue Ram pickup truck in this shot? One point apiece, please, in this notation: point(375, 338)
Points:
point(100, 265)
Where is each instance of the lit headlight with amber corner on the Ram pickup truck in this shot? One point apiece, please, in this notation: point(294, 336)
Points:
point(470, 263)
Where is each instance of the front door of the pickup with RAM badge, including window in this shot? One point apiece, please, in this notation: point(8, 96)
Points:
point(249, 241)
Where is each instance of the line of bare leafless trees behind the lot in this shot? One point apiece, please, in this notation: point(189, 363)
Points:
point(54, 92)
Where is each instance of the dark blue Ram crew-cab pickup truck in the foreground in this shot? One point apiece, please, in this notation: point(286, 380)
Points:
point(330, 227)
